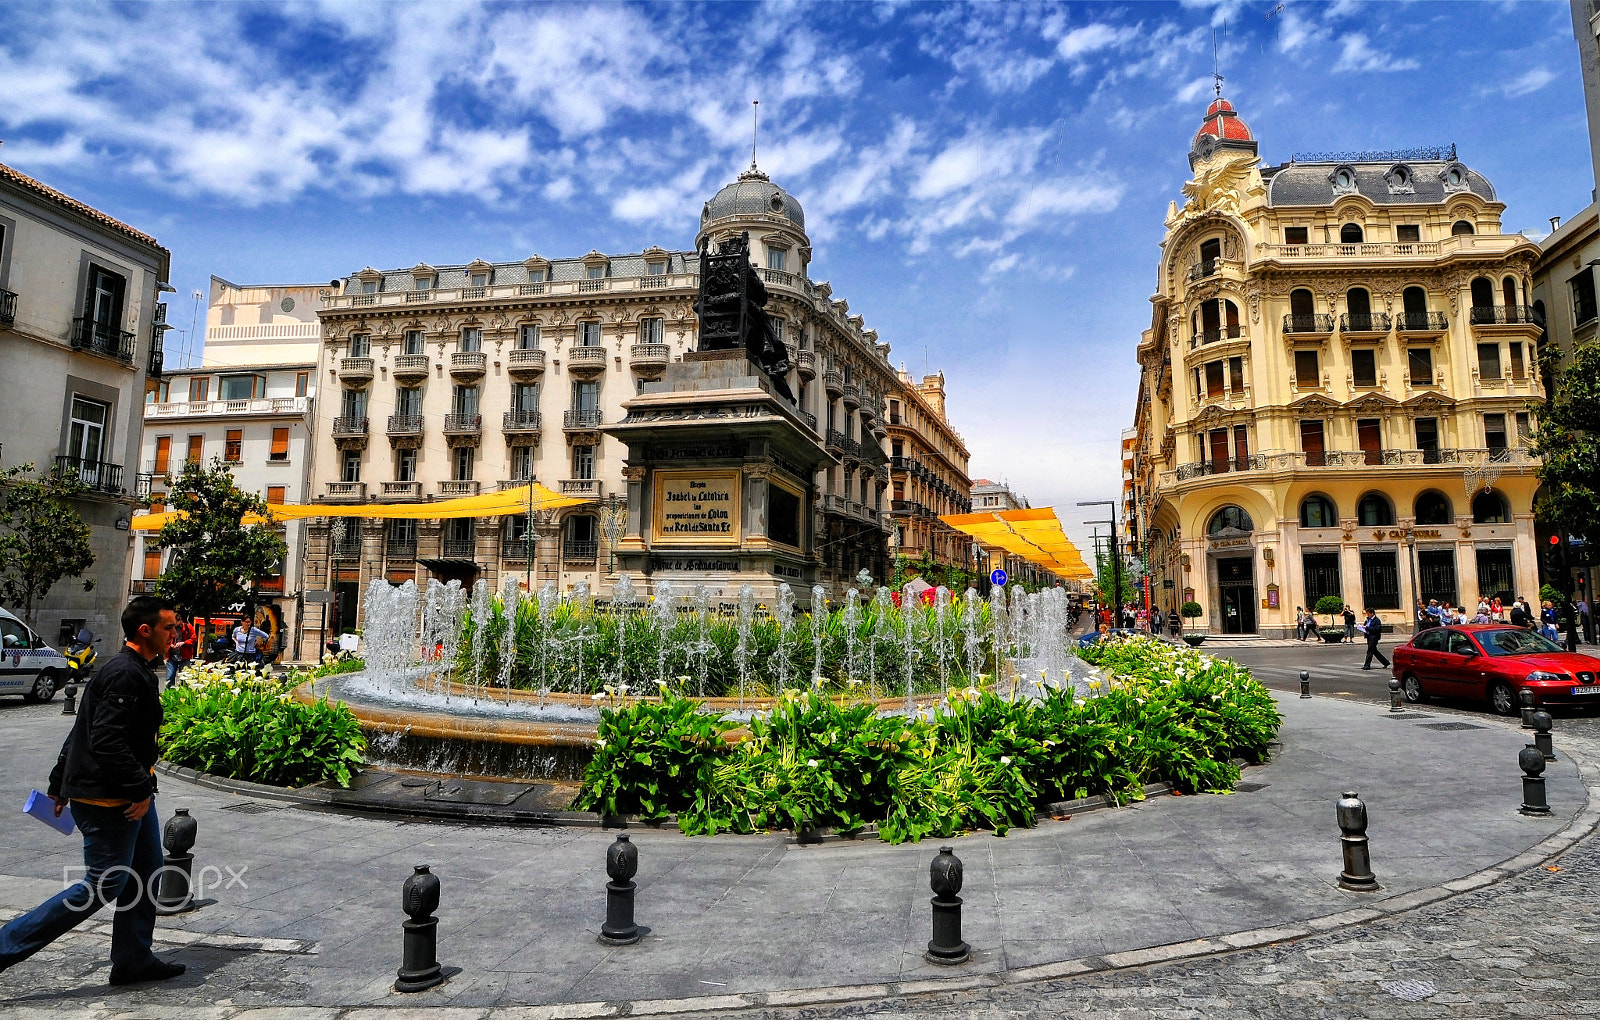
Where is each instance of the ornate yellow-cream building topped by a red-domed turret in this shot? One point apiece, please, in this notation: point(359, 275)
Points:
point(1335, 388)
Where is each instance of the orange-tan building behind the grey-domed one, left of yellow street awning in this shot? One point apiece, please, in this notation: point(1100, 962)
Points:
point(927, 476)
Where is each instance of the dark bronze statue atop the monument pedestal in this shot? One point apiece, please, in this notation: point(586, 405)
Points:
point(732, 311)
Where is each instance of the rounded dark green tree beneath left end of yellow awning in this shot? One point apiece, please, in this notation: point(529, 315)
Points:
point(217, 557)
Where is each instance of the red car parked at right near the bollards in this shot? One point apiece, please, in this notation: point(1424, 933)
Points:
point(1495, 664)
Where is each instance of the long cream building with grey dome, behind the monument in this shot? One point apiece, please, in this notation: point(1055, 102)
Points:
point(449, 381)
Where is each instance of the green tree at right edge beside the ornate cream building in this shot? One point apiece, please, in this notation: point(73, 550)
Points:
point(1569, 445)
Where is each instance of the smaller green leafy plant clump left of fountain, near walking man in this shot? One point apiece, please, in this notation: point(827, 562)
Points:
point(249, 727)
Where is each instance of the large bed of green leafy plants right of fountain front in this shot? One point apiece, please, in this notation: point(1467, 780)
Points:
point(982, 762)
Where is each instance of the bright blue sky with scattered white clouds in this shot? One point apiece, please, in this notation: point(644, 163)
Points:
point(985, 183)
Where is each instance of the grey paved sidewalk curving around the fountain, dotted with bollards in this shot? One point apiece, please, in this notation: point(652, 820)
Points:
point(759, 922)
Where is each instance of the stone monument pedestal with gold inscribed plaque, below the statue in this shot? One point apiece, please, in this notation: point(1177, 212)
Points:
point(719, 482)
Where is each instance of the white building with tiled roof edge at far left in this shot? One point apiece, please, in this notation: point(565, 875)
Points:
point(81, 330)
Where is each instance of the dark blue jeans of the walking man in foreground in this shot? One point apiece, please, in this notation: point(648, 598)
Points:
point(122, 863)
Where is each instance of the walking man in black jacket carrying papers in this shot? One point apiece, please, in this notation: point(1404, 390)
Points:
point(108, 773)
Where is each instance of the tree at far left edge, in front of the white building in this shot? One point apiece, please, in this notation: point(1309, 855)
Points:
point(42, 538)
